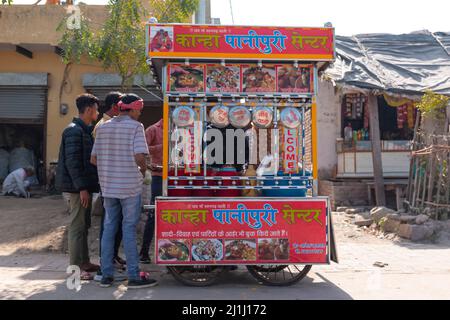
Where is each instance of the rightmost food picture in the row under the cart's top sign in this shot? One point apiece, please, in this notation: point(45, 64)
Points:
point(291, 79)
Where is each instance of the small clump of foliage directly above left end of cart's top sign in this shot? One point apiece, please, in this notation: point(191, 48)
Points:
point(167, 11)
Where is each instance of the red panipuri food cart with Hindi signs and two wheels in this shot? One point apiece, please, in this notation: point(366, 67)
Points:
point(240, 151)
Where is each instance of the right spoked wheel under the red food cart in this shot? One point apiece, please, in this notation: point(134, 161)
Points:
point(274, 275)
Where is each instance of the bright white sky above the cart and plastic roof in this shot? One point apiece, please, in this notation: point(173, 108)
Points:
point(349, 17)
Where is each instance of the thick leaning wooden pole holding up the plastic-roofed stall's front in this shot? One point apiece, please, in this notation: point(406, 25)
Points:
point(376, 151)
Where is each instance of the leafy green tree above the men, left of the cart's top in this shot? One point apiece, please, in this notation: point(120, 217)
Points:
point(120, 44)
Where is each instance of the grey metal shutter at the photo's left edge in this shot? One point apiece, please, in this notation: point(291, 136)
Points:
point(23, 104)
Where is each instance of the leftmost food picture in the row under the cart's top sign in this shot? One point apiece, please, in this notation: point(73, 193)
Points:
point(186, 79)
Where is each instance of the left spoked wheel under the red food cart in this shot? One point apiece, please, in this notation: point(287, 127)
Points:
point(196, 276)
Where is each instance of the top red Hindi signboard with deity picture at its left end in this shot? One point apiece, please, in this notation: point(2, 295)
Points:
point(239, 42)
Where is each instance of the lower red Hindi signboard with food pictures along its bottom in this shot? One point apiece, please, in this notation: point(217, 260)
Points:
point(246, 231)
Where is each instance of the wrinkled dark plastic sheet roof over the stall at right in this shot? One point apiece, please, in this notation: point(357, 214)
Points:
point(406, 64)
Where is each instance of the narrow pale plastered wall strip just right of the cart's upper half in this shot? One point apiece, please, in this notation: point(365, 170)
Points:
point(328, 127)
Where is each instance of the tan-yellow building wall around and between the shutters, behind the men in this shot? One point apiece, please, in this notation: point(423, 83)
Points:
point(50, 63)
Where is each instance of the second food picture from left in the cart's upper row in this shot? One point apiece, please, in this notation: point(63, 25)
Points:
point(222, 79)
